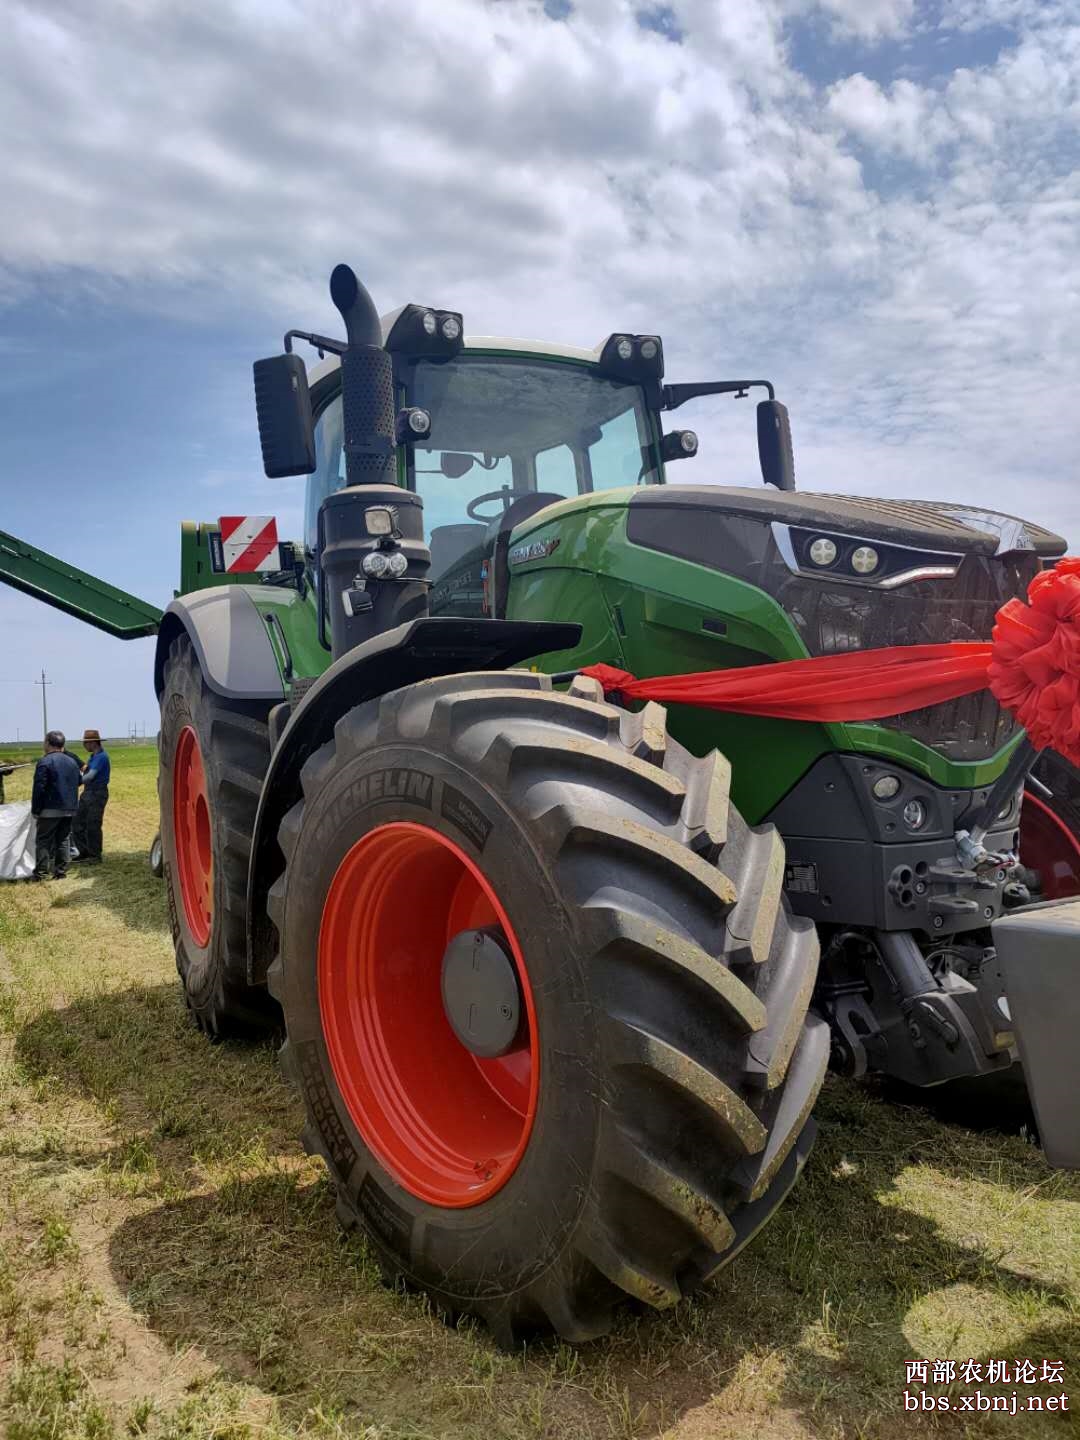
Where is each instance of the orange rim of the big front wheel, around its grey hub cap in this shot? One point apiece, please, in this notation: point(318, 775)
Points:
point(449, 1125)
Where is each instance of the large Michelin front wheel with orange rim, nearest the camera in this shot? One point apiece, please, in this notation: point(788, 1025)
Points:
point(653, 1108)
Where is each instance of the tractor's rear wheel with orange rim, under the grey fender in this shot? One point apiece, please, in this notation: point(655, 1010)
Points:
point(214, 757)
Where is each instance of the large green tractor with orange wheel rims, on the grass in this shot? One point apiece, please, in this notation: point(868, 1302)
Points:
point(558, 1002)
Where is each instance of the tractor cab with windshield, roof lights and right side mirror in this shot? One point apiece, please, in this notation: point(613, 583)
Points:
point(493, 431)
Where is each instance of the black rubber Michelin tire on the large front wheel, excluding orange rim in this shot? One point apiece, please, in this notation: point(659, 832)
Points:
point(678, 1061)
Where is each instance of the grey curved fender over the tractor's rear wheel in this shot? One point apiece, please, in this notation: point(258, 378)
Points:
point(230, 639)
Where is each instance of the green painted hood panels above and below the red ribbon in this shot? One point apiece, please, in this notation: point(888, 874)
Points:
point(659, 616)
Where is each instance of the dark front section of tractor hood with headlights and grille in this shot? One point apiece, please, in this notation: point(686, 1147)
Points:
point(889, 572)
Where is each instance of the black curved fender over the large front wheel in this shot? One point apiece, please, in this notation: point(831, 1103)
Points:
point(420, 650)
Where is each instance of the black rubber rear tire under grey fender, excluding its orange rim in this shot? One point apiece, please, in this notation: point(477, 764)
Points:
point(235, 751)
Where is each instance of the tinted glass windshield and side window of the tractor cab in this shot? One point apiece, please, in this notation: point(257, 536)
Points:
point(505, 427)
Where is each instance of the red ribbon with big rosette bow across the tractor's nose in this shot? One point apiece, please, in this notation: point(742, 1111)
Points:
point(1032, 666)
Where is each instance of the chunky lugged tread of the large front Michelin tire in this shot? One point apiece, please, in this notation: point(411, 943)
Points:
point(726, 1053)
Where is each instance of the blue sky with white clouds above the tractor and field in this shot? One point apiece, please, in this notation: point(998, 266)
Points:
point(876, 204)
